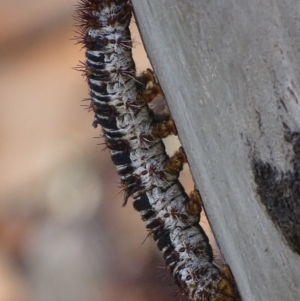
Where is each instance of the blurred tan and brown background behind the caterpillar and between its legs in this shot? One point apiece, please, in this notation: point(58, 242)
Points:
point(64, 234)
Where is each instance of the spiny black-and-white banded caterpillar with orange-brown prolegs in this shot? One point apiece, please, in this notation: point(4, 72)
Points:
point(134, 135)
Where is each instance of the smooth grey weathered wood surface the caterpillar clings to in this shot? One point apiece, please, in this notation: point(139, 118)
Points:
point(230, 72)
